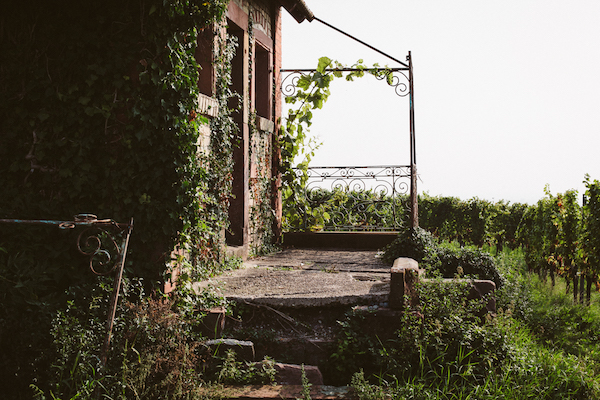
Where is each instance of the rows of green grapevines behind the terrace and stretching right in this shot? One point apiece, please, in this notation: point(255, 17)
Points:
point(559, 236)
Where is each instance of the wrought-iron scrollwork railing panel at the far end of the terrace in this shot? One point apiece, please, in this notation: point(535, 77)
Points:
point(373, 198)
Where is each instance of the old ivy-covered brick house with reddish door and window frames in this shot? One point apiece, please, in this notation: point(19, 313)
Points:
point(90, 119)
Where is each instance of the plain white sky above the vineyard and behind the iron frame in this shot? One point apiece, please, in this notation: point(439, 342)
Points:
point(507, 93)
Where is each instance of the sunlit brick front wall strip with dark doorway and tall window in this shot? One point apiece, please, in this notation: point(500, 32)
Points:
point(256, 24)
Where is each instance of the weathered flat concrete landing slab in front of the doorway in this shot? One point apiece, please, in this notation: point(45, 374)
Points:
point(308, 278)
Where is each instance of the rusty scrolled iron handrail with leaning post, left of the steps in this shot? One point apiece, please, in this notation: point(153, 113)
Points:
point(99, 241)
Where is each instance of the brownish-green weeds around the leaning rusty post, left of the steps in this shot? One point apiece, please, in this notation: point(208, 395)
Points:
point(156, 347)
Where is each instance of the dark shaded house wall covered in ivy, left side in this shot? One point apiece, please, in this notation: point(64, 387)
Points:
point(99, 114)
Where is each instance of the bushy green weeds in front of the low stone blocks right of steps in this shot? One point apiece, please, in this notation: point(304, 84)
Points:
point(446, 335)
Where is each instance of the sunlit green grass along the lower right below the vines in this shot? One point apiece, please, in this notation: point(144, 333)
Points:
point(550, 346)
